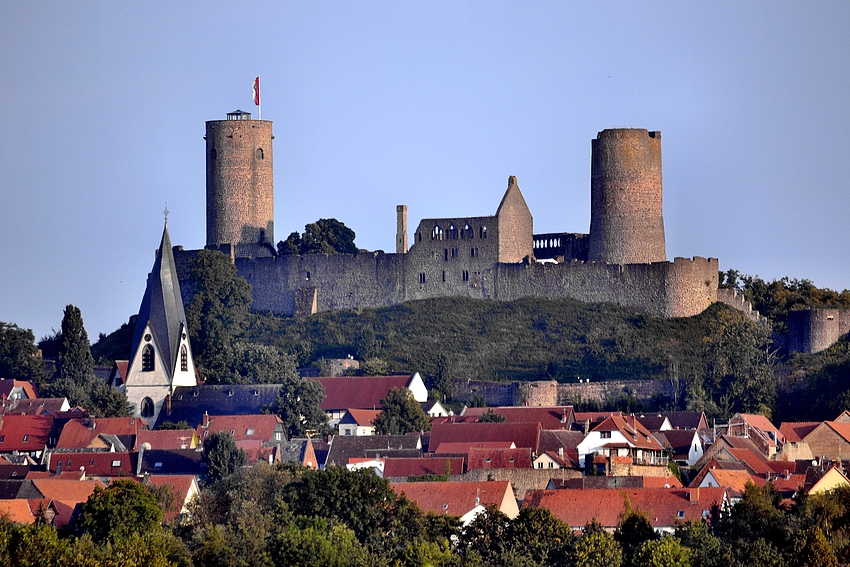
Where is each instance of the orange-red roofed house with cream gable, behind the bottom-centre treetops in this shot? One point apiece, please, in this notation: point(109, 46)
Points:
point(462, 499)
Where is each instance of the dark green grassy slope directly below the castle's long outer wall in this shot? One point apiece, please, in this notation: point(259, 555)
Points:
point(525, 339)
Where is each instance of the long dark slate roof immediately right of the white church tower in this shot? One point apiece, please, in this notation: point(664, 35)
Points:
point(189, 403)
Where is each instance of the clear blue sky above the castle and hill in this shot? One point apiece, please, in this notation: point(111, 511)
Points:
point(424, 103)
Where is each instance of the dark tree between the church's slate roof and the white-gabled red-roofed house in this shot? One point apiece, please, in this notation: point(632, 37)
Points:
point(297, 405)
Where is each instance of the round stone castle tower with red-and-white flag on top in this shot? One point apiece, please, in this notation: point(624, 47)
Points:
point(240, 185)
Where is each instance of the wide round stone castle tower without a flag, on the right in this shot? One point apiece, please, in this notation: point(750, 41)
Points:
point(626, 222)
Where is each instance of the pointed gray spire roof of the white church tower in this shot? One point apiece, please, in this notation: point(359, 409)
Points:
point(162, 305)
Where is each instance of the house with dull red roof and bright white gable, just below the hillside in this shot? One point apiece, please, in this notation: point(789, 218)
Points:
point(365, 392)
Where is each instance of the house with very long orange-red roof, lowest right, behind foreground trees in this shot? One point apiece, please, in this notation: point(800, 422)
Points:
point(665, 508)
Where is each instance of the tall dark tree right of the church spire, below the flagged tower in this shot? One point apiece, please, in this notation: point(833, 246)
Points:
point(218, 312)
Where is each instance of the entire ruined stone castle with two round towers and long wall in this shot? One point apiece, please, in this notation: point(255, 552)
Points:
point(622, 259)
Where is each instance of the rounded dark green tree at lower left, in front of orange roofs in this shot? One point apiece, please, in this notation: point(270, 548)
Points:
point(124, 508)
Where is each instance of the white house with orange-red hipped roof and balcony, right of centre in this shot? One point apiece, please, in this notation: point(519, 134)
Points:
point(617, 438)
